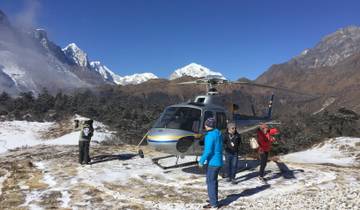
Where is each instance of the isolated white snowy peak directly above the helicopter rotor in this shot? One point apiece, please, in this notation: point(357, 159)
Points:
point(193, 70)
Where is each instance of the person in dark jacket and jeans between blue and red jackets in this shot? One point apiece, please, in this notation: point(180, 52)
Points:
point(232, 140)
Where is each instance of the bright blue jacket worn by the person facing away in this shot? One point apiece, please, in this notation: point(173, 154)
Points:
point(213, 149)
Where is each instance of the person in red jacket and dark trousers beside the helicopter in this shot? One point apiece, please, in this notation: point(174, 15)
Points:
point(265, 139)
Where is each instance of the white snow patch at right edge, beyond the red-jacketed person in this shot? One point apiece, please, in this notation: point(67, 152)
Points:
point(338, 151)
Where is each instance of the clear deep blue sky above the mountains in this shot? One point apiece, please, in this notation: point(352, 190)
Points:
point(237, 38)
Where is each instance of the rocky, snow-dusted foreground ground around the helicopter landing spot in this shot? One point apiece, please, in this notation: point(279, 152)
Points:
point(49, 177)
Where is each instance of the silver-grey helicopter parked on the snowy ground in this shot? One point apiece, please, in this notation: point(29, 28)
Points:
point(179, 131)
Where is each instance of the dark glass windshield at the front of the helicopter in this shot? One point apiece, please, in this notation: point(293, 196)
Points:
point(184, 118)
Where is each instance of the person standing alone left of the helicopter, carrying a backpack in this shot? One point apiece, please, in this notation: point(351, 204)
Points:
point(86, 133)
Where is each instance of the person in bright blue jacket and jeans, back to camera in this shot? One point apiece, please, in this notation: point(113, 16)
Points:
point(212, 156)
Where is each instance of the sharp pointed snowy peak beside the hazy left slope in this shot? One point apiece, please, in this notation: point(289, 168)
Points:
point(76, 55)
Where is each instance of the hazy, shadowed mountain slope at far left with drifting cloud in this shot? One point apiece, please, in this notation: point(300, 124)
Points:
point(29, 61)
